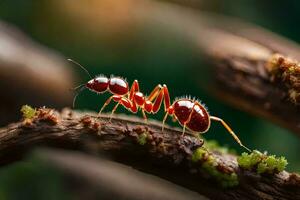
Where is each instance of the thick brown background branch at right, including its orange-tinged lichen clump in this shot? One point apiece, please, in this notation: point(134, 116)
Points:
point(266, 87)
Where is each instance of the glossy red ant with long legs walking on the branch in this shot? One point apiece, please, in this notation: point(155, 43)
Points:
point(190, 113)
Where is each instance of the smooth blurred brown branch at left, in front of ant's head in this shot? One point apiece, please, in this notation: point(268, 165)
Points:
point(30, 73)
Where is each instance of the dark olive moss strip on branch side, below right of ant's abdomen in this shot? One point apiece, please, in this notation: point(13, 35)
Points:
point(209, 166)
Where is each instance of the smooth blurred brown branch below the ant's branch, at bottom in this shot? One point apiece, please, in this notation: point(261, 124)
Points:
point(87, 177)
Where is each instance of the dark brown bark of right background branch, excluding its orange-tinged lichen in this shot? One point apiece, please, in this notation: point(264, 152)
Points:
point(256, 92)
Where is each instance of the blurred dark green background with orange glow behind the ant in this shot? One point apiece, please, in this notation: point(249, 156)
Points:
point(152, 54)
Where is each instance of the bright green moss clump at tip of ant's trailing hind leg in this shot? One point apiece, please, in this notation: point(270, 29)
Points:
point(262, 163)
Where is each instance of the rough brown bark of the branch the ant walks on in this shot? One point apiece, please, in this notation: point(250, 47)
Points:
point(166, 155)
